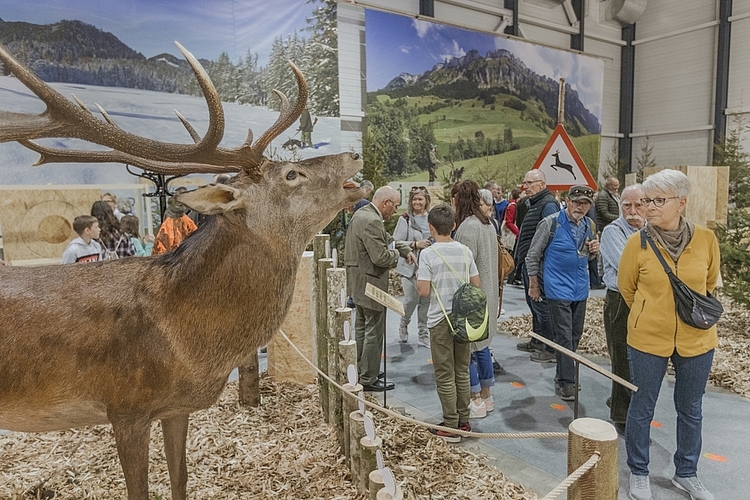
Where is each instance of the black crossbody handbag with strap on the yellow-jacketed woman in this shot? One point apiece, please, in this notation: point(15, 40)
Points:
point(693, 308)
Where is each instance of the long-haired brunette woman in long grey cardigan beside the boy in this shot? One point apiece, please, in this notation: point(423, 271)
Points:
point(474, 229)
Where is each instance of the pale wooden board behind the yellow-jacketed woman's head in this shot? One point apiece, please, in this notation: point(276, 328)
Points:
point(709, 193)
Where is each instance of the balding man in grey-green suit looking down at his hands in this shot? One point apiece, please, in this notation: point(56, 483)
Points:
point(367, 258)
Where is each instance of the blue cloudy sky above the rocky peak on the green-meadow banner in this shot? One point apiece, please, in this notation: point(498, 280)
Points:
point(400, 44)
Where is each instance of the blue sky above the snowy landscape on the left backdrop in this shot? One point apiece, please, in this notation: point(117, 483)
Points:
point(205, 27)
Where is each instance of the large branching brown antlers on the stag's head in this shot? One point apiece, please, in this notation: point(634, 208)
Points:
point(63, 118)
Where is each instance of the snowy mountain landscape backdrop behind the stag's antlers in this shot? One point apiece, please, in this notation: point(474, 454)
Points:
point(122, 56)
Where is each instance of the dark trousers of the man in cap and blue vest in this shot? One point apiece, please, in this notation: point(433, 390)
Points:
point(567, 320)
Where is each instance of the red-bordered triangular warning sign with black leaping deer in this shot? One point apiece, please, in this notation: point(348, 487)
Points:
point(561, 163)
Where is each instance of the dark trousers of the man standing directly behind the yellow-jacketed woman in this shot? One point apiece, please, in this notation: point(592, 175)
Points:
point(616, 328)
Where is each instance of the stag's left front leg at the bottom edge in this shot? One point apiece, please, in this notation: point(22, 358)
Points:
point(132, 446)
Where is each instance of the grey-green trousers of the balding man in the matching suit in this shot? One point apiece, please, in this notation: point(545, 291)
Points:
point(369, 328)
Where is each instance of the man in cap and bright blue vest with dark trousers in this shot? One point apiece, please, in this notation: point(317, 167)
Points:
point(559, 253)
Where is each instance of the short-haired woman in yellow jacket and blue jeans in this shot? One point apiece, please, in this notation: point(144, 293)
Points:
point(656, 334)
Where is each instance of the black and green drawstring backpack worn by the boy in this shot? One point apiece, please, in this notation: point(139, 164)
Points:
point(469, 313)
